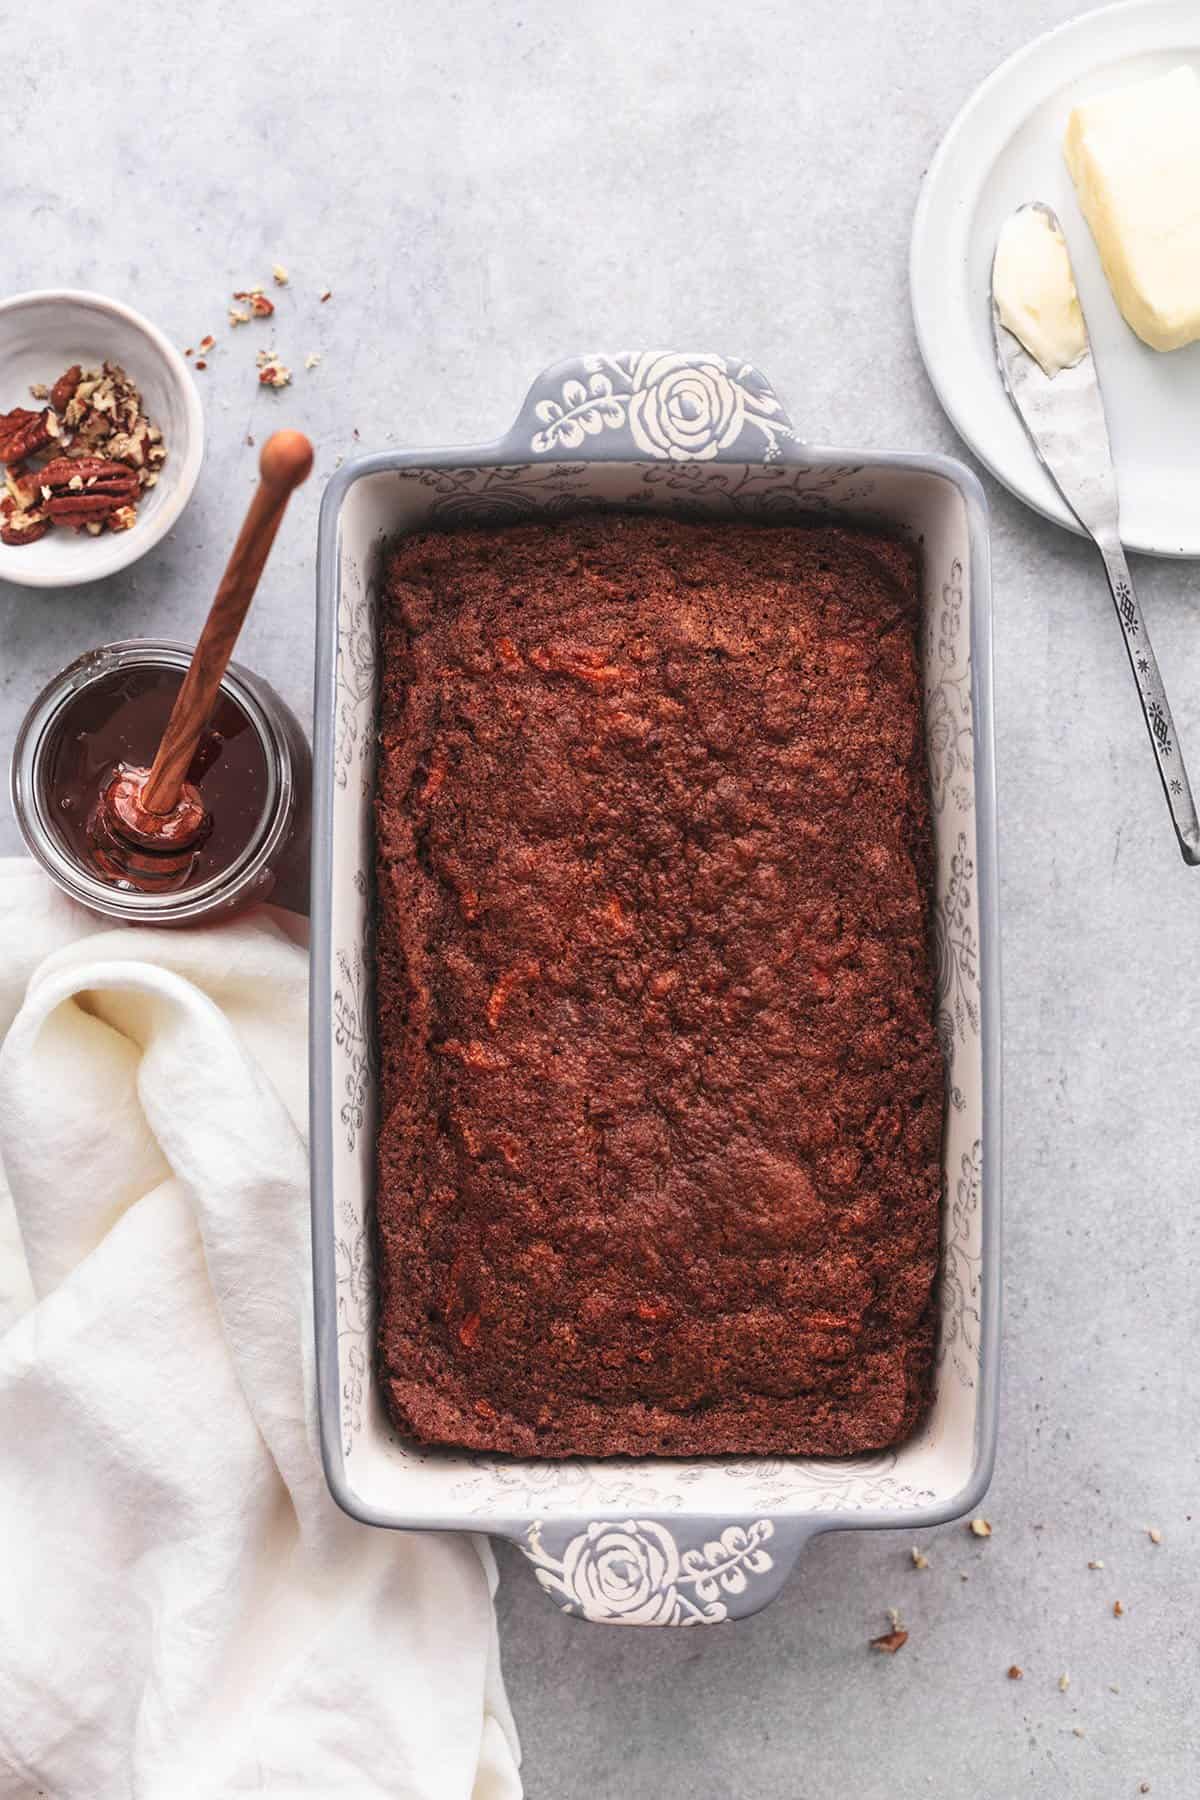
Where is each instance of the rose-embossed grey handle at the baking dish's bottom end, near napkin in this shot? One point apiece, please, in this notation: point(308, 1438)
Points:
point(663, 1572)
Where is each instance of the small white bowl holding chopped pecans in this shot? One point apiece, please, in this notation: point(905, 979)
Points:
point(48, 332)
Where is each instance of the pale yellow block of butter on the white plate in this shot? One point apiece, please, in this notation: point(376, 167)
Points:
point(1134, 157)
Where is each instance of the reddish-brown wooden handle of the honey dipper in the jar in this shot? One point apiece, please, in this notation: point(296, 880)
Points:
point(285, 463)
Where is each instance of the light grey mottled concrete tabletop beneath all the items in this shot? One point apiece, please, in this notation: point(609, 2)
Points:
point(487, 188)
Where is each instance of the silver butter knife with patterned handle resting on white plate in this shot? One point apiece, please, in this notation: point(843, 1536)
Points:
point(1066, 420)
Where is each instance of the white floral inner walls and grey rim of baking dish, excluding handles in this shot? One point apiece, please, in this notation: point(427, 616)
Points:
point(397, 1482)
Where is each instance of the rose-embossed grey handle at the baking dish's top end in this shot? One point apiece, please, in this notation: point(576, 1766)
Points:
point(652, 406)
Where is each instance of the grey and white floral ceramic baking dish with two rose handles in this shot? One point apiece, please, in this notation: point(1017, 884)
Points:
point(656, 1542)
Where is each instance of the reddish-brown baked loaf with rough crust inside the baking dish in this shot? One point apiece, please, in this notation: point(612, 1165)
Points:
point(661, 1092)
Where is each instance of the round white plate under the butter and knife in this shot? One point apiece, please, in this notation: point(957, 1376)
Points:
point(1007, 148)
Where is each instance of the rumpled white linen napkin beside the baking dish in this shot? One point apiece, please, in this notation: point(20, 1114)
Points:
point(184, 1612)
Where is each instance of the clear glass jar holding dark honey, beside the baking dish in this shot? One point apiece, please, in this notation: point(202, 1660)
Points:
point(271, 867)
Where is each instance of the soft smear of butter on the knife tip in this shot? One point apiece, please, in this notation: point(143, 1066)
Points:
point(1035, 291)
